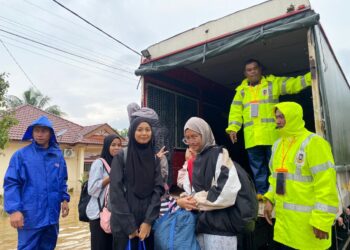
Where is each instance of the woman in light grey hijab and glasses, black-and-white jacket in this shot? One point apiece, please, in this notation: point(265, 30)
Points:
point(214, 183)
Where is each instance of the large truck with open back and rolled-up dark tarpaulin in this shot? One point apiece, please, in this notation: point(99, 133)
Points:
point(196, 72)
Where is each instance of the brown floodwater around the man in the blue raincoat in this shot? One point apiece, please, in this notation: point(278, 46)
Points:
point(73, 233)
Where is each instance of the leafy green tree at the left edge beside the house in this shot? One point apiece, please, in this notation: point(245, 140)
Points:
point(7, 119)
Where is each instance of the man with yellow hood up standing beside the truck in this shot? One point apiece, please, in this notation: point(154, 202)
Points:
point(302, 184)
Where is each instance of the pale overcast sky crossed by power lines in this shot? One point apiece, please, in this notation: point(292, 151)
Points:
point(92, 93)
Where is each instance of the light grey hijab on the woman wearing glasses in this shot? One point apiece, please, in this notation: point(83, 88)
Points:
point(202, 127)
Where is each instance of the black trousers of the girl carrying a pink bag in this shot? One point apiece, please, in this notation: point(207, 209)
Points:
point(99, 239)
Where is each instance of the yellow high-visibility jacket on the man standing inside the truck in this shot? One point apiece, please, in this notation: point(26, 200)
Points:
point(261, 130)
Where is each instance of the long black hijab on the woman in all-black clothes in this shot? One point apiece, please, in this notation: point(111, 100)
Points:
point(140, 162)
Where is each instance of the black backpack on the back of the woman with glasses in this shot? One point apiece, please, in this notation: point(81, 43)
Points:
point(245, 211)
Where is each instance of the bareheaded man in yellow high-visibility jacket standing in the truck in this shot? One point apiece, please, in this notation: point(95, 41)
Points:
point(252, 108)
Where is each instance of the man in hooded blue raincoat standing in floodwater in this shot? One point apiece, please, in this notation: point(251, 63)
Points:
point(35, 188)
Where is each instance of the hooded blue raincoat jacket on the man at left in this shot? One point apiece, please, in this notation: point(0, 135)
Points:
point(35, 181)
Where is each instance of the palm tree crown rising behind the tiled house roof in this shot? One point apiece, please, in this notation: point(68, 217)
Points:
point(36, 99)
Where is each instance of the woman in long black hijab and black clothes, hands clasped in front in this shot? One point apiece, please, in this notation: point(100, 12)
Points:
point(136, 188)
